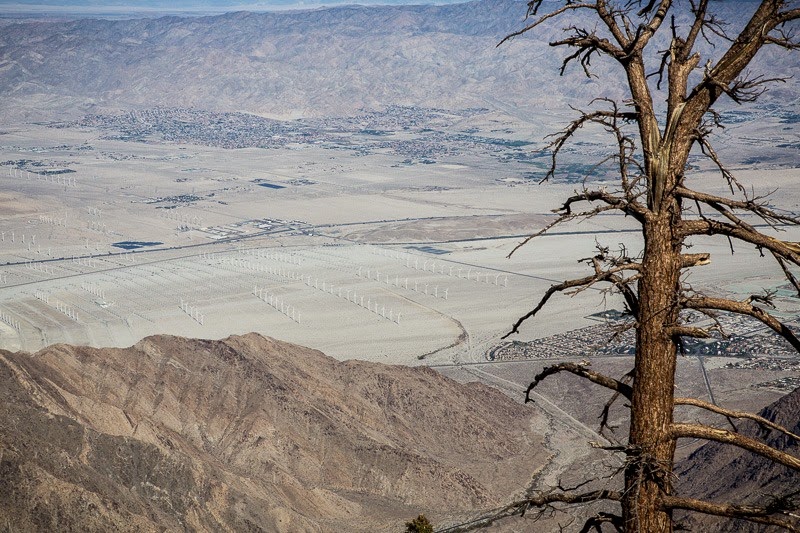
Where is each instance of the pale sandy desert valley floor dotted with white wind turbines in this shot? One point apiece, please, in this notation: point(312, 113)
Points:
point(354, 254)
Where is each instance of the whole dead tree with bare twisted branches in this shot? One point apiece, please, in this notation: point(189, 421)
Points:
point(653, 186)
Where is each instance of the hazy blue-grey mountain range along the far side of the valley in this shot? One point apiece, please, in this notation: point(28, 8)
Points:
point(297, 63)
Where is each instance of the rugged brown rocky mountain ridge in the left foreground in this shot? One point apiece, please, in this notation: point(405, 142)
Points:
point(247, 433)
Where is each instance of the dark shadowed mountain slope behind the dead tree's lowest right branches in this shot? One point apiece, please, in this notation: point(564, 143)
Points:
point(723, 473)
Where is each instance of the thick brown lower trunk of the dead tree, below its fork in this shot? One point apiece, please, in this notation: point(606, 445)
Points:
point(649, 470)
